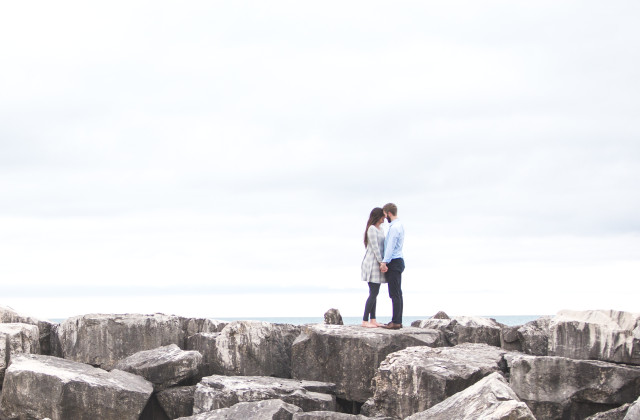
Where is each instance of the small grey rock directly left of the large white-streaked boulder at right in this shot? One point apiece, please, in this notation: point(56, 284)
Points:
point(530, 338)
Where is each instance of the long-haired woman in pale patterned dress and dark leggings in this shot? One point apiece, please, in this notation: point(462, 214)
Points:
point(374, 242)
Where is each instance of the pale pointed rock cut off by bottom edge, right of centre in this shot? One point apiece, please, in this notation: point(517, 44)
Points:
point(489, 398)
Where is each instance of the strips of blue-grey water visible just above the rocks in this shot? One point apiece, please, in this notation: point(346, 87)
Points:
point(510, 320)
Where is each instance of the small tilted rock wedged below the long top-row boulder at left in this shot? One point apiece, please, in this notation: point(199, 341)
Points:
point(163, 367)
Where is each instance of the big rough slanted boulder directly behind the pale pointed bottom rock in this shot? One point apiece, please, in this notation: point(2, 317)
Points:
point(416, 378)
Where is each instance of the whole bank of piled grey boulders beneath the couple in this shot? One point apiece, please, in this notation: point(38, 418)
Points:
point(575, 365)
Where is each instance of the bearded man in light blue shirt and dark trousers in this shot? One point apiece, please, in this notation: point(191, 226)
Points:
point(393, 263)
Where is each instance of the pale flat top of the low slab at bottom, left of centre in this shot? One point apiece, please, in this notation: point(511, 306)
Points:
point(254, 383)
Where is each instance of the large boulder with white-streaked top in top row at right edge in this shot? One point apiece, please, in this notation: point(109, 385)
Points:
point(611, 336)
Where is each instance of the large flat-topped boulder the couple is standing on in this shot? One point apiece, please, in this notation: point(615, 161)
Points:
point(349, 355)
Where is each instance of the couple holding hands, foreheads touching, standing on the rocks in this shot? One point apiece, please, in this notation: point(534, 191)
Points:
point(383, 263)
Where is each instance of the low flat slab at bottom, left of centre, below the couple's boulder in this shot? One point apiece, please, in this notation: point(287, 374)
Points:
point(218, 391)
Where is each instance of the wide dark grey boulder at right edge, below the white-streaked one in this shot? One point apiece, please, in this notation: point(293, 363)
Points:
point(558, 387)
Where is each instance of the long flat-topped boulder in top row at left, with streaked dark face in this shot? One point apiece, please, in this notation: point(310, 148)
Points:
point(104, 339)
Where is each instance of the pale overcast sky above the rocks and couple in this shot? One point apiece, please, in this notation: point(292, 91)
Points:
point(221, 158)
